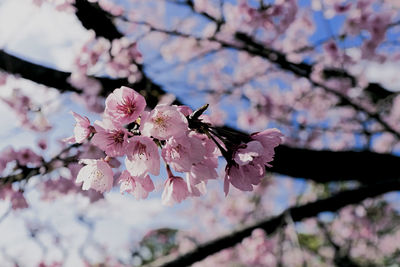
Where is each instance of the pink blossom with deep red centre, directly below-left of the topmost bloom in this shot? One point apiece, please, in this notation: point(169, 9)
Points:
point(110, 137)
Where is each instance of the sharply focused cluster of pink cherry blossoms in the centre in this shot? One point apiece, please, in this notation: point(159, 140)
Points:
point(184, 137)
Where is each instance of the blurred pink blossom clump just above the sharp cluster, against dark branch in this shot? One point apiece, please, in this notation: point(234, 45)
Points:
point(118, 59)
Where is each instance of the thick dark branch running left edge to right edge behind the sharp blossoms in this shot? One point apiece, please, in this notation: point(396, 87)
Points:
point(320, 166)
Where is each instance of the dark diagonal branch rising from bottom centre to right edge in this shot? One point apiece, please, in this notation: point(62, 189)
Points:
point(332, 203)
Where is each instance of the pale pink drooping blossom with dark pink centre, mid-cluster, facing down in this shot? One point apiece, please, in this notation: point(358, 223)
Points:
point(142, 156)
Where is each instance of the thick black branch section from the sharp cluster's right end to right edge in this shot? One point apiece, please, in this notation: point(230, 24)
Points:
point(326, 166)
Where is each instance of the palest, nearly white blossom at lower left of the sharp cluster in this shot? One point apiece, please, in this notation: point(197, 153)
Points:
point(97, 174)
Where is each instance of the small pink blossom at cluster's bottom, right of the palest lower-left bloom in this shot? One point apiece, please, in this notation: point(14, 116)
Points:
point(137, 186)
